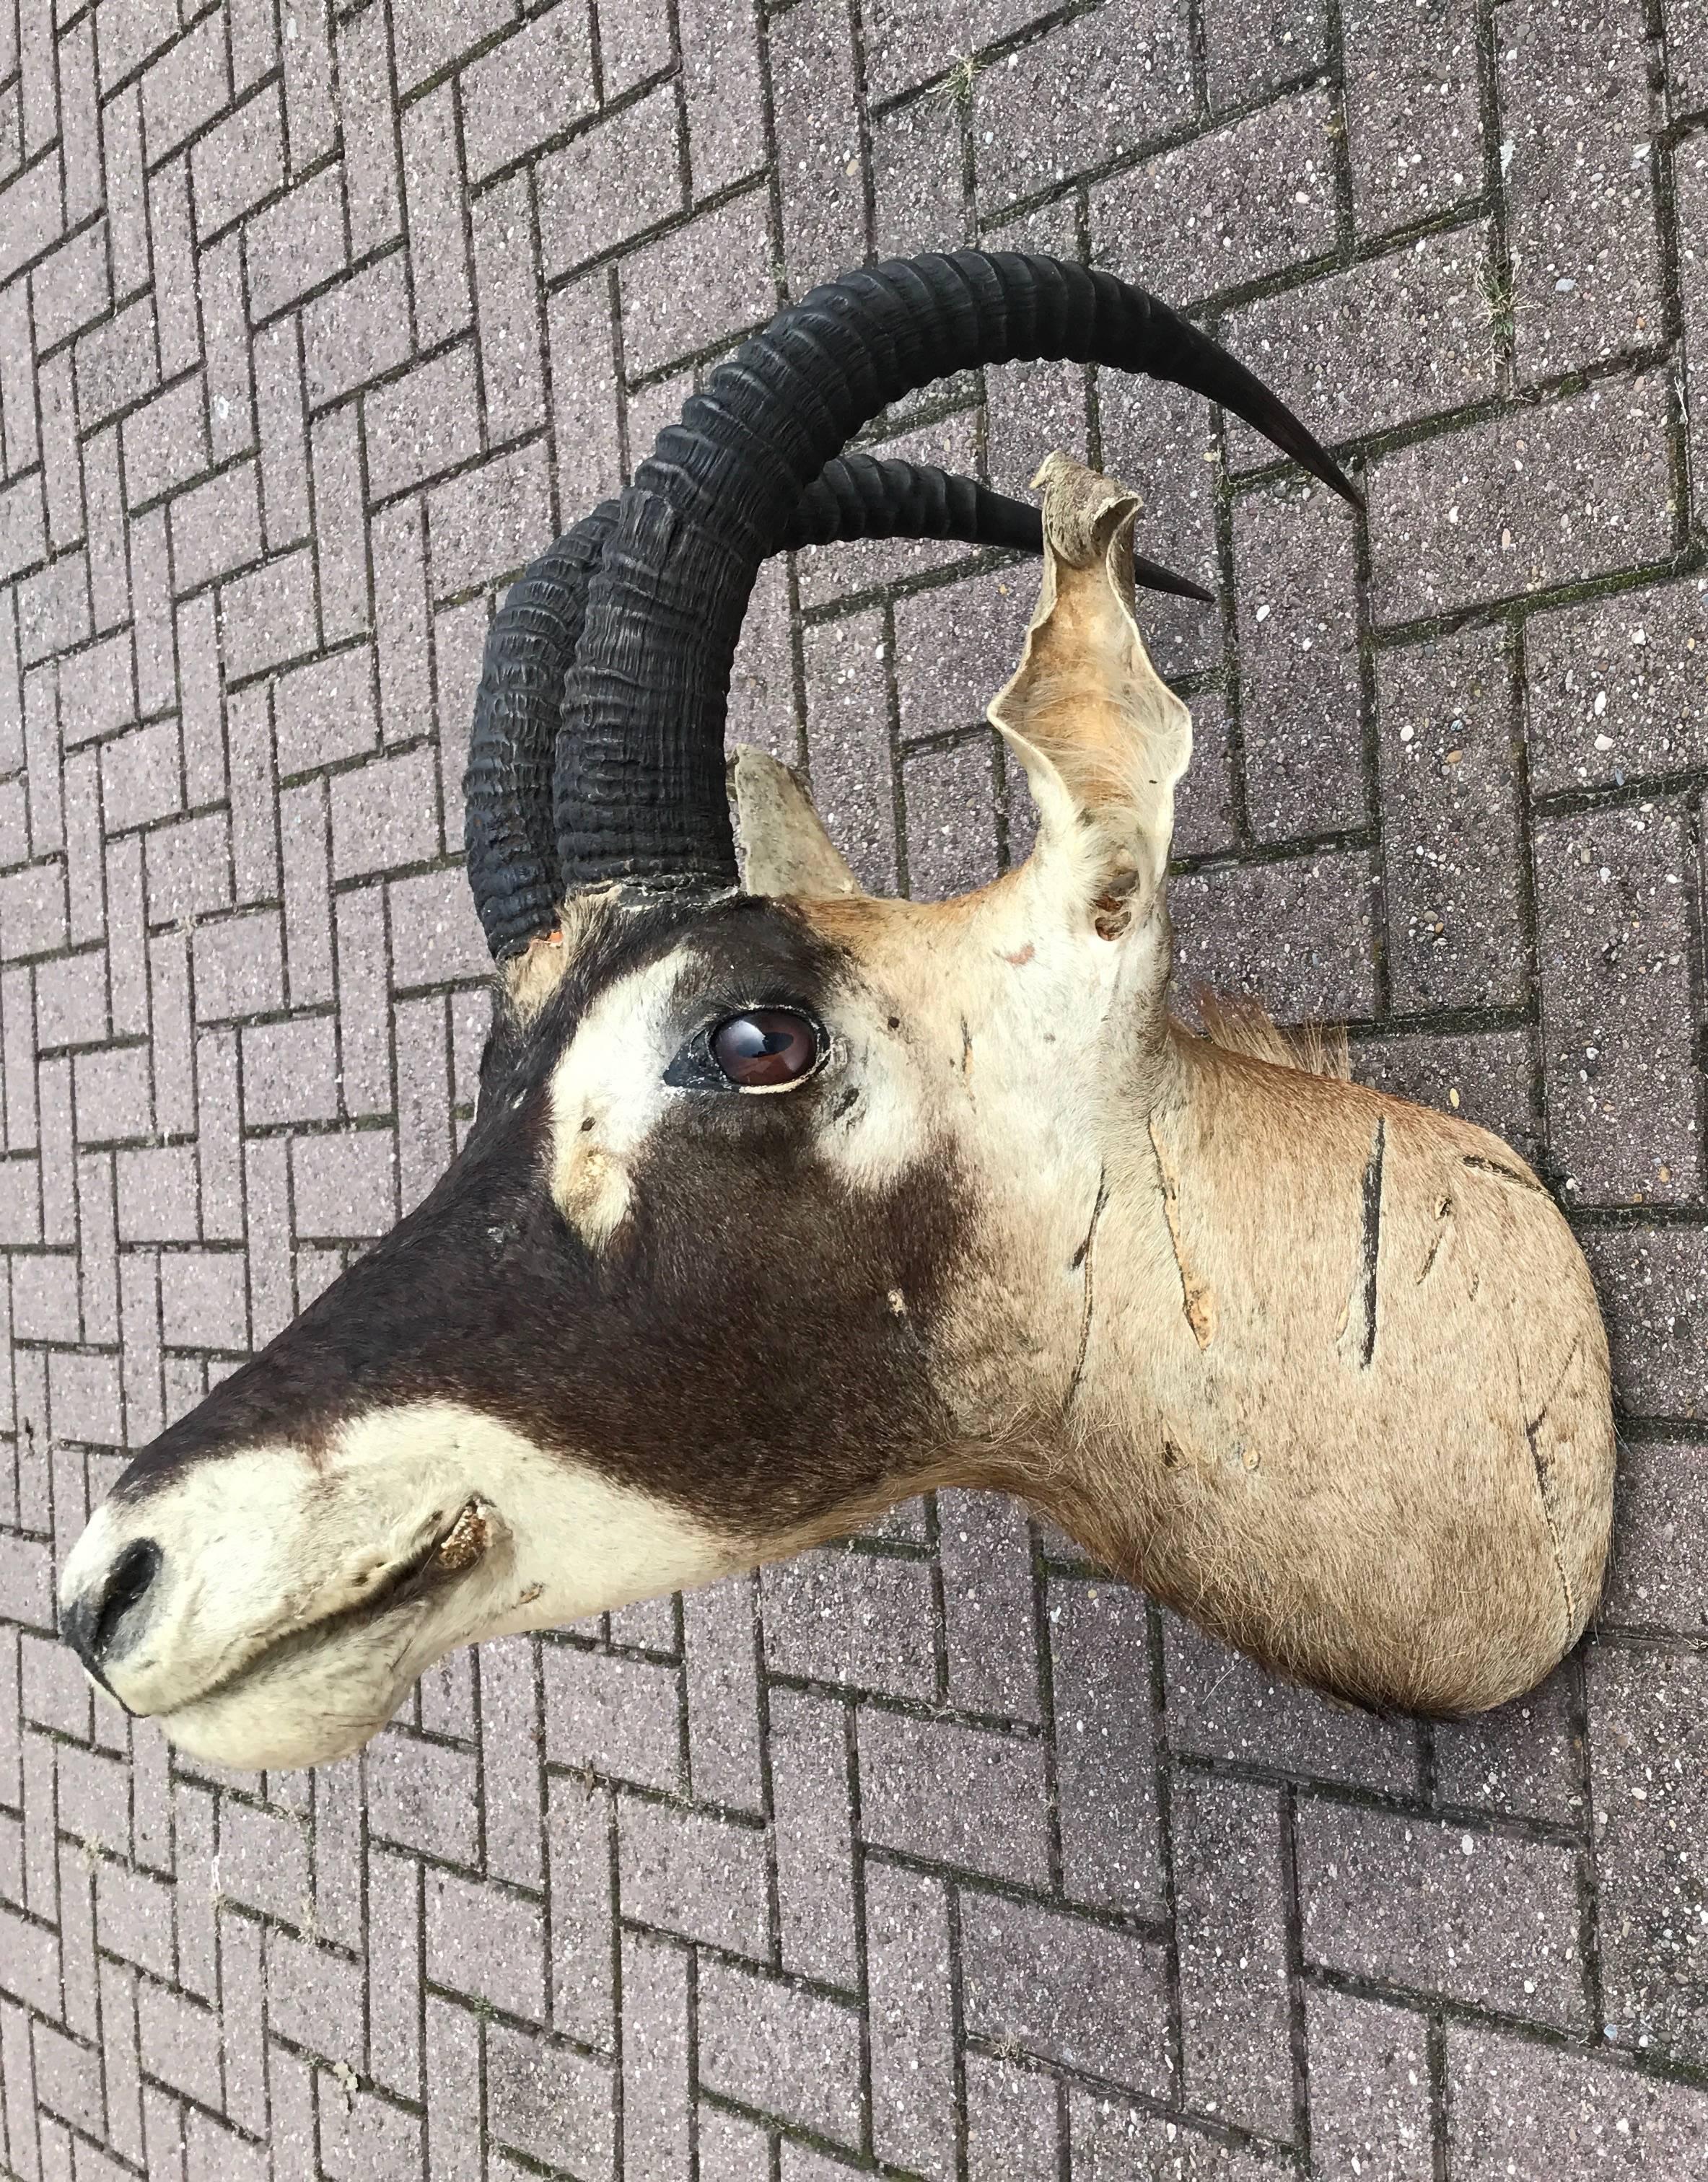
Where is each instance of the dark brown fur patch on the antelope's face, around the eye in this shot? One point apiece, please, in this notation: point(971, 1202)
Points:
point(734, 1347)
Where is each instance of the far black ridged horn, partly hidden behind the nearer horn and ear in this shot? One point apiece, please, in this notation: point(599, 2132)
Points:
point(507, 784)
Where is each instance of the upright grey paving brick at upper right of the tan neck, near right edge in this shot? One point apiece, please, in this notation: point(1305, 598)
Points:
point(1617, 1014)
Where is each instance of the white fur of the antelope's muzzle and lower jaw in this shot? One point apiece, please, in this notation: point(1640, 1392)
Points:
point(261, 1546)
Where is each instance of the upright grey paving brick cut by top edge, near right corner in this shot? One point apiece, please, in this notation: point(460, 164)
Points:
point(1578, 117)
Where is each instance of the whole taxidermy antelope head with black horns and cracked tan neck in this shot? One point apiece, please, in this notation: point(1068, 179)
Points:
point(784, 1203)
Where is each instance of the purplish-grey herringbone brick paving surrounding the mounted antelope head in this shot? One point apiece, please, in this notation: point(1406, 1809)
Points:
point(937, 1856)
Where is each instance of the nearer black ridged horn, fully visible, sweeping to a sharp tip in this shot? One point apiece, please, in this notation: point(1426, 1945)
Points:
point(640, 771)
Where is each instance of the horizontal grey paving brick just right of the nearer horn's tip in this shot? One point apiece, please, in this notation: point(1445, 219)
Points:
point(1521, 503)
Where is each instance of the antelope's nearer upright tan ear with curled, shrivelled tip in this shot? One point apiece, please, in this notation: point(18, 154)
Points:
point(1100, 734)
